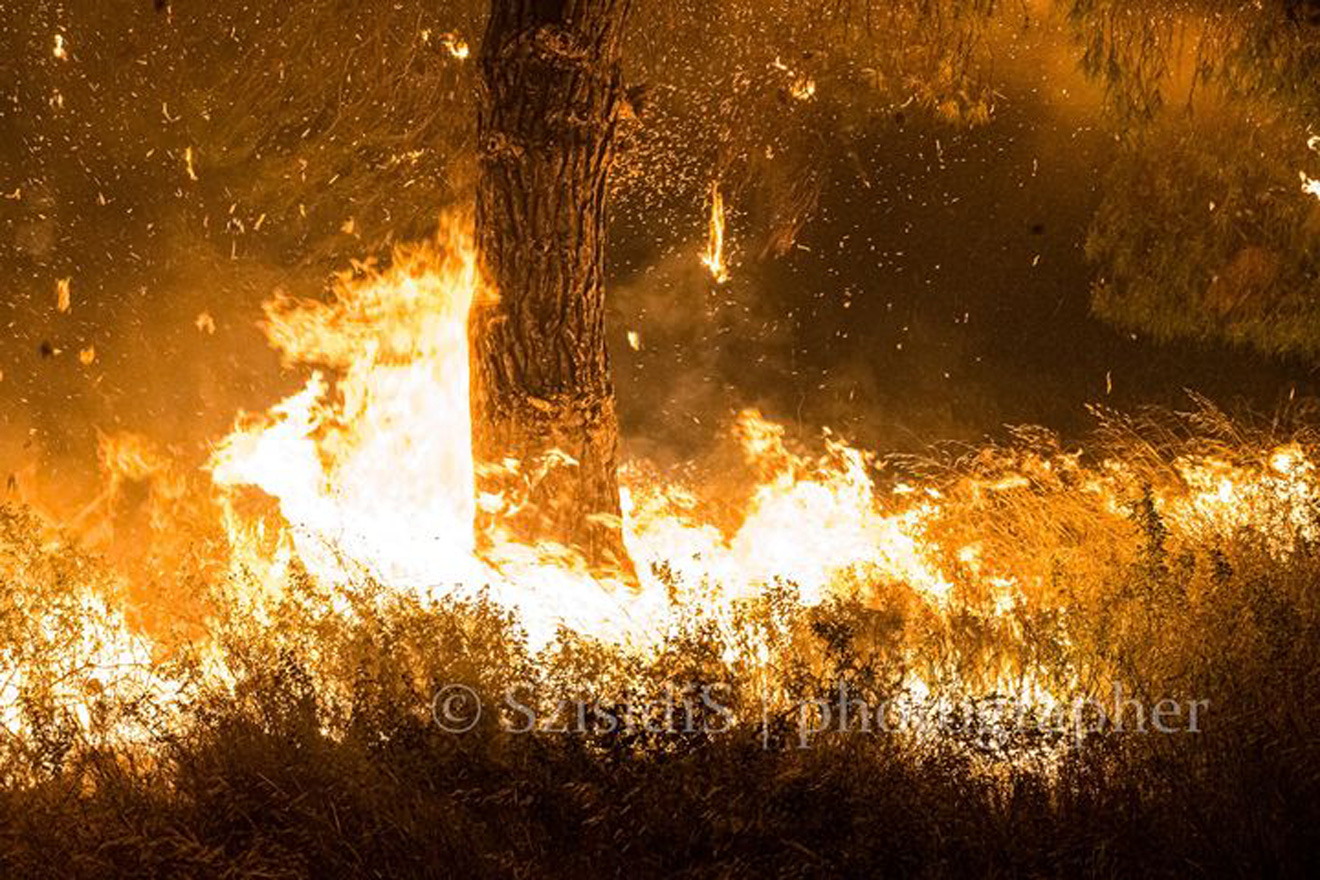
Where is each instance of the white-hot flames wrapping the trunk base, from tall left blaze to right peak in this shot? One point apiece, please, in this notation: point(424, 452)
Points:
point(372, 466)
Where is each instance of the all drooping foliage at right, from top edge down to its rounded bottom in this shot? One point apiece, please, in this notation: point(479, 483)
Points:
point(1204, 233)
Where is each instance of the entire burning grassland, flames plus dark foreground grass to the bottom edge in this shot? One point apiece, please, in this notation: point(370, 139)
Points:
point(327, 589)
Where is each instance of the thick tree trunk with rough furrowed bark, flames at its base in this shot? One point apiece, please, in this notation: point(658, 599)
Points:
point(542, 390)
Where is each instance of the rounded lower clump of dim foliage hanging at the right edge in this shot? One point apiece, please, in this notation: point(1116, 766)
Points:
point(1204, 233)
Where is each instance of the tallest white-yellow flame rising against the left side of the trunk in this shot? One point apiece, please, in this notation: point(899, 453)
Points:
point(376, 462)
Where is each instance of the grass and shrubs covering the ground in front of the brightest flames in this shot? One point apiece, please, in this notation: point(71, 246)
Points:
point(331, 747)
